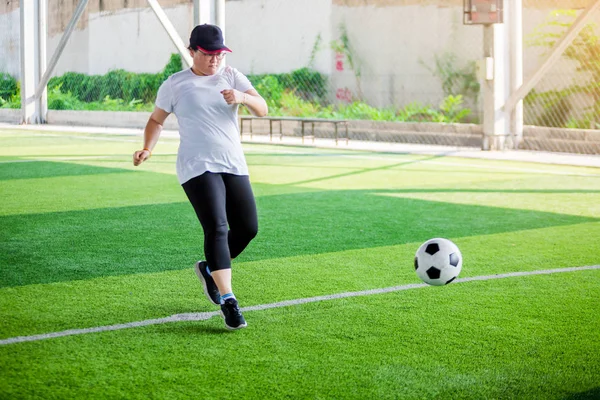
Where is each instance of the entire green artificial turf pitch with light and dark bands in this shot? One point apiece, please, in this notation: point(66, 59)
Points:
point(87, 240)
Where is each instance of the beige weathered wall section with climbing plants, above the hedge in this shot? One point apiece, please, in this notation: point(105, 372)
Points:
point(394, 48)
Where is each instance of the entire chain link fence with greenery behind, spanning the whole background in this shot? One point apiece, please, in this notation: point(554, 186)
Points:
point(400, 71)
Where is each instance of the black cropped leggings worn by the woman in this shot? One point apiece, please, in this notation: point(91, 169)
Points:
point(225, 206)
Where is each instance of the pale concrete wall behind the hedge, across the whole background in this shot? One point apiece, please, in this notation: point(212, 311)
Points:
point(394, 42)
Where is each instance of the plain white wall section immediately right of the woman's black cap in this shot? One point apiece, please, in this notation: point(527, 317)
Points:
point(274, 36)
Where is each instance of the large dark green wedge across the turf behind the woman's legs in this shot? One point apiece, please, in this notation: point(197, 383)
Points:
point(63, 246)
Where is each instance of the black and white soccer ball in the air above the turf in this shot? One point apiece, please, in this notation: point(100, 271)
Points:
point(438, 262)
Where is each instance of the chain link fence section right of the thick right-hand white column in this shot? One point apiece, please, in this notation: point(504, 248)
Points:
point(566, 101)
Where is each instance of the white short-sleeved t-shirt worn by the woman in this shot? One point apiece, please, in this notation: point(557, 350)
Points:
point(208, 126)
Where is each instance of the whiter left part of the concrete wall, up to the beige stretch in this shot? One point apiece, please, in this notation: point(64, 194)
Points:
point(133, 39)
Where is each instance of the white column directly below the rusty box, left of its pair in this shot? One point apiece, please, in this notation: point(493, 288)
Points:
point(494, 90)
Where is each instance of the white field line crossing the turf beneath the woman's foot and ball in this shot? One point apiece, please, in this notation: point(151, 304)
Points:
point(207, 315)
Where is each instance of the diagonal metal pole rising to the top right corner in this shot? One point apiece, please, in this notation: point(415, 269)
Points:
point(555, 54)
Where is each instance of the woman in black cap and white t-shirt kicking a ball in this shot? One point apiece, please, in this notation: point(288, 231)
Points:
point(211, 165)
